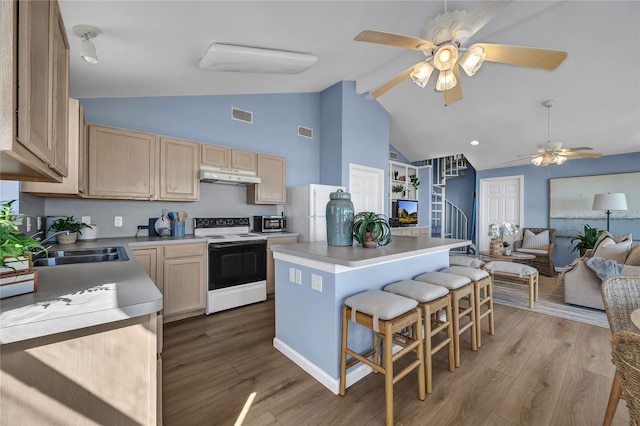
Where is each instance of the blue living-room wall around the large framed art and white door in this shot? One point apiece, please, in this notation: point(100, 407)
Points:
point(536, 189)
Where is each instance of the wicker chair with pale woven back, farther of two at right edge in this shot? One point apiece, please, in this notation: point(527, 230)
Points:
point(621, 296)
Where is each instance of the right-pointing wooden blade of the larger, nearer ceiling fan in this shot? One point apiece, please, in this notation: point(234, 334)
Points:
point(524, 56)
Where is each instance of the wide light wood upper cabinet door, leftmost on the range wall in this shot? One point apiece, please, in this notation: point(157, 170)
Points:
point(122, 163)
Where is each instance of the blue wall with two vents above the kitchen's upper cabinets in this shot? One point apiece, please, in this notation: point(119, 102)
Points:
point(207, 119)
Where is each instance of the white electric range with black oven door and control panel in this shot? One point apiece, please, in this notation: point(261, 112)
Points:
point(237, 262)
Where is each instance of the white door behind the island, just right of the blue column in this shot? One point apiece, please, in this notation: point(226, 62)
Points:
point(366, 186)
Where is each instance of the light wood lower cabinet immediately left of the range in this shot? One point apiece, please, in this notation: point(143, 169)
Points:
point(179, 274)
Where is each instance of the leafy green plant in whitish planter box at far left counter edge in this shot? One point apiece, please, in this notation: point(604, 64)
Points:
point(16, 250)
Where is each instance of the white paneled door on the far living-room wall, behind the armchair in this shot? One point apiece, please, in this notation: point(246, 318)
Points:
point(500, 200)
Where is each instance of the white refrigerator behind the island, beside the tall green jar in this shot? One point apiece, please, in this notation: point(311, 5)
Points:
point(306, 209)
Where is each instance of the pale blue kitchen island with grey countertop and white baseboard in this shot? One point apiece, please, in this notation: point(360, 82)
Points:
point(312, 282)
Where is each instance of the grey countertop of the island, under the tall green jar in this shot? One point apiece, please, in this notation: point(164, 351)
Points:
point(353, 256)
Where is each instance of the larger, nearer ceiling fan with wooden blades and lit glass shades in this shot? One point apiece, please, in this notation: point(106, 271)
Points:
point(444, 45)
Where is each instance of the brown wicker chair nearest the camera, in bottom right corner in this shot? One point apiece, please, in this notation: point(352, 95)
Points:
point(625, 353)
